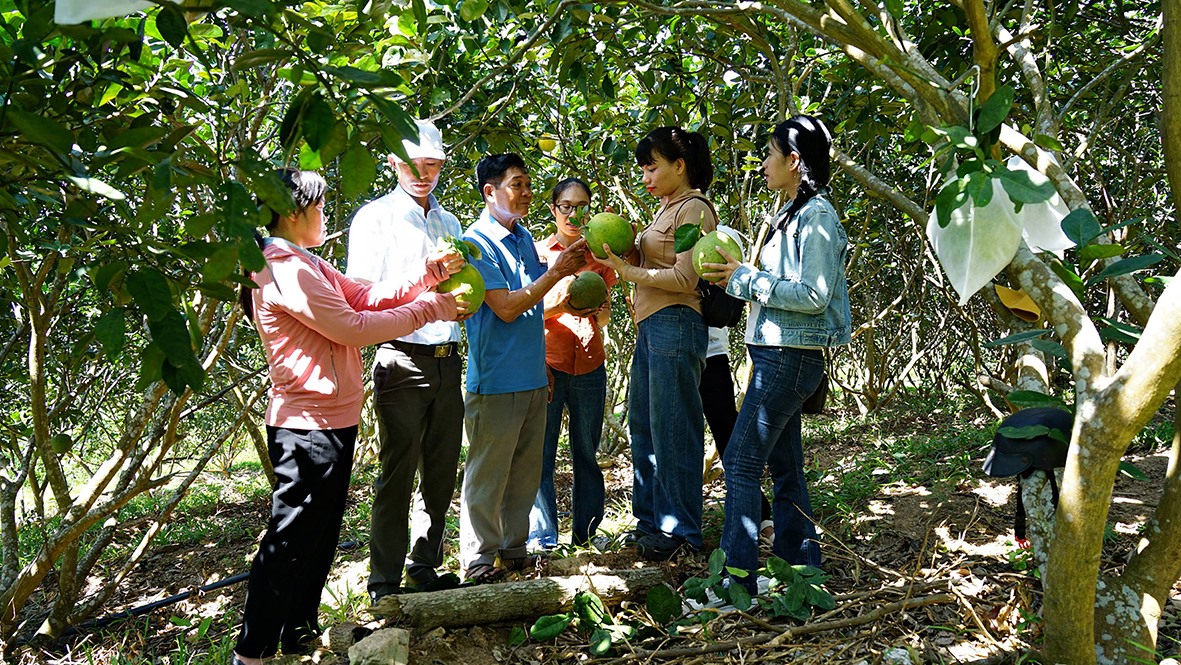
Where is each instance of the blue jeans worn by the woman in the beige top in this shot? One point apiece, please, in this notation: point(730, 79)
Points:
point(667, 425)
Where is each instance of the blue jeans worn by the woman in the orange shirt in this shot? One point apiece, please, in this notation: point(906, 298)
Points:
point(585, 397)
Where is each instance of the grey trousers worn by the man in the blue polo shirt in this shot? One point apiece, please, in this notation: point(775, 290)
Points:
point(506, 438)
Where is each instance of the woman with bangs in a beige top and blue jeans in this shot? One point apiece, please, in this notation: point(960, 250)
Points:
point(665, 421)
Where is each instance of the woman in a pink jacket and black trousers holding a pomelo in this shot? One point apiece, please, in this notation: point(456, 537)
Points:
point(312, 321)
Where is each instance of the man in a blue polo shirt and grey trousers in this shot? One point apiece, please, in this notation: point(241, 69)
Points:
point(507, 388)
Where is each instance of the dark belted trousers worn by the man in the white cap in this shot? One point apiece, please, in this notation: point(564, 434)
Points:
point(420, 408)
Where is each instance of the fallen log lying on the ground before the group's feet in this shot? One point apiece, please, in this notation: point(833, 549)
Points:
point(513, 602)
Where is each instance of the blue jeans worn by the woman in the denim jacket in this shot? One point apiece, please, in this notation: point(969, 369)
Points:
point(768, 434)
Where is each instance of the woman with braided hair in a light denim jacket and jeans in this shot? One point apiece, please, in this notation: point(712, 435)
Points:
point(800, 307)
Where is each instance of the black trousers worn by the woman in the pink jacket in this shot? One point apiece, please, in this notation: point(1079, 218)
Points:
point(283, 596)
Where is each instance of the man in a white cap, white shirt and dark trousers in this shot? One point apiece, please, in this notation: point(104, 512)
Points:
point(416, 379)
